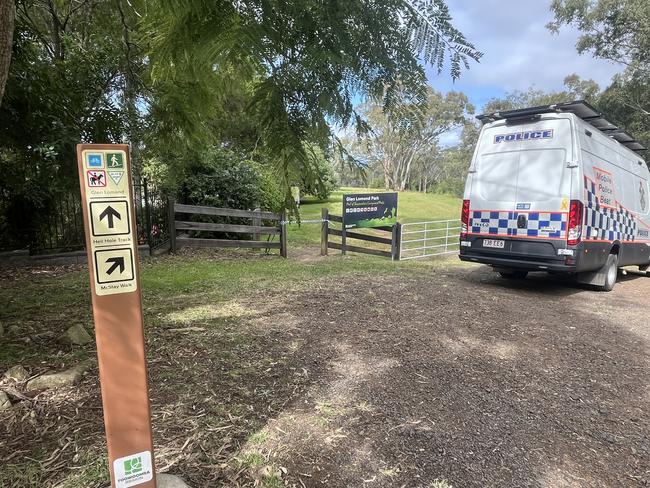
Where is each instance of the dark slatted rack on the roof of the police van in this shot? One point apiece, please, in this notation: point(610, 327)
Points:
point(579, 108)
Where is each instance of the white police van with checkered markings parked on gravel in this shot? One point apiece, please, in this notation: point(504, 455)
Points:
point(556, 188)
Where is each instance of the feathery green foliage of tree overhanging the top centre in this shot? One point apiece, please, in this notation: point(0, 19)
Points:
point(305, 63)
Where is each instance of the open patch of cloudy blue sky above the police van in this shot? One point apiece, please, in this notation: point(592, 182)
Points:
point(519, 51)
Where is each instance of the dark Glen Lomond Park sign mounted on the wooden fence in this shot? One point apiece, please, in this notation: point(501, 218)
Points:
point(369, 210)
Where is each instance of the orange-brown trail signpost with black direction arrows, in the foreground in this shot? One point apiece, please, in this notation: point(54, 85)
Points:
point(111, 245)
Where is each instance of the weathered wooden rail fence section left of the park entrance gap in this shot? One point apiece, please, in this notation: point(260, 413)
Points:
point(261, 234)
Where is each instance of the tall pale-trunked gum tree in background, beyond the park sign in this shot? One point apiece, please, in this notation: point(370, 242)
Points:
point(409, 131)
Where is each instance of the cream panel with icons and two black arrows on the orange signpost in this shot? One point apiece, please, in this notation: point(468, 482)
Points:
point(109, 210)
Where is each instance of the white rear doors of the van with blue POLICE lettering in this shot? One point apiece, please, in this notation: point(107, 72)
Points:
point(522, 183)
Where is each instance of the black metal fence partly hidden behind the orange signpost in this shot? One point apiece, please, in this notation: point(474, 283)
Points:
point(62, 229)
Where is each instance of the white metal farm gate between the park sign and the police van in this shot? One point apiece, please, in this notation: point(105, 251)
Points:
point(431, 238)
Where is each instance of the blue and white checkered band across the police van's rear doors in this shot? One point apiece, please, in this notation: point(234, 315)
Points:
point(539, 224)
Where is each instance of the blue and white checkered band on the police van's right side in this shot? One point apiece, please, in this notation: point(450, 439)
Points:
point(605, 223)
